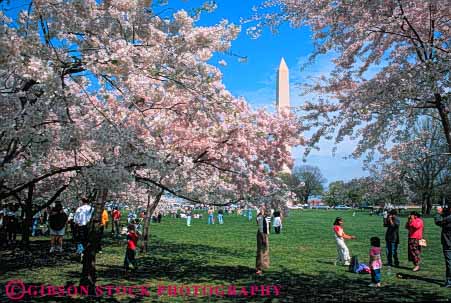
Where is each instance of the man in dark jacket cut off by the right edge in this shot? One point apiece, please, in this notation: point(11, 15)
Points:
point(443, 219)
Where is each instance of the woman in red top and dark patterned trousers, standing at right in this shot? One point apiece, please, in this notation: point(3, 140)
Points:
point(415, 227)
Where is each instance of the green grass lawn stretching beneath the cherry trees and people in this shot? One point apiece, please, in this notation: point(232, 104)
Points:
point(302, 258)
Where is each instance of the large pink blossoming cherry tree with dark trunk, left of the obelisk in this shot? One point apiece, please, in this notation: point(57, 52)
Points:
point(107, 94)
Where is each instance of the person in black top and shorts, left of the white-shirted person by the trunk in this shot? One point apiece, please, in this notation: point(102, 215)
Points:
point(57, 224)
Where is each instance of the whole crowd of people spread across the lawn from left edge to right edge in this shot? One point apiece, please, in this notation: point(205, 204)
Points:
point(53, 222)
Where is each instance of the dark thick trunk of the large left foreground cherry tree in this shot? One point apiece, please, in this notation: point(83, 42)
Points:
point(88, 274)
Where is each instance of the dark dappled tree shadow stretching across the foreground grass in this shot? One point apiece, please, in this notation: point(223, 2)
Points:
point(179, 264)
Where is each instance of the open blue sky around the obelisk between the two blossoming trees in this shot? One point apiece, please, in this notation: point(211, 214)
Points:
point(256, 78)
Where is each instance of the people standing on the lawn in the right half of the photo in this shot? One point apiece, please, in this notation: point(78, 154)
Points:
point(415, 241)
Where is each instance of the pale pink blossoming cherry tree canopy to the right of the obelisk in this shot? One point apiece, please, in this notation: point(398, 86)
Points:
point(391, 65)
